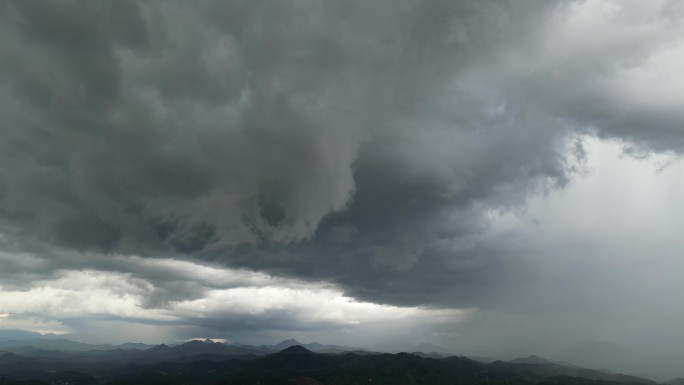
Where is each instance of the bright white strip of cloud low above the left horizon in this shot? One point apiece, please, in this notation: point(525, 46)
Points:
point(220, 299)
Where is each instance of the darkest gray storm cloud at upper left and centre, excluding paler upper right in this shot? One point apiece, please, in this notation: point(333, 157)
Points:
point(221, 127)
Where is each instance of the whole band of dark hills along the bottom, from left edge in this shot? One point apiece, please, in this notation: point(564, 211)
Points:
point(205, 362)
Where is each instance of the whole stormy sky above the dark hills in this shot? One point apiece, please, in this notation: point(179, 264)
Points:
point(488, 176)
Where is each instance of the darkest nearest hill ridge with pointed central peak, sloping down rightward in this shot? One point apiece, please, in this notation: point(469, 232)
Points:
point(298, 365)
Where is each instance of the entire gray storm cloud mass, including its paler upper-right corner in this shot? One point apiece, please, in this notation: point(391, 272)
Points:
point(364, 144)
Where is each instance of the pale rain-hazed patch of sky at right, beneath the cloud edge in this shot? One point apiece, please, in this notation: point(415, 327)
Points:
point(606, 252)
